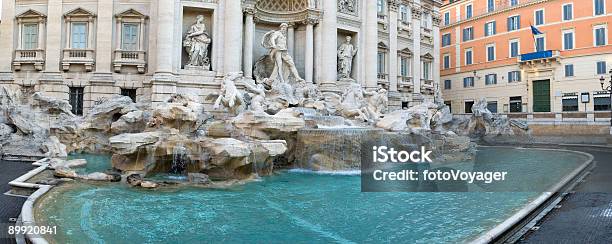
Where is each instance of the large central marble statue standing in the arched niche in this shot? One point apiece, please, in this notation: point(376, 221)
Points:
point(276, 42)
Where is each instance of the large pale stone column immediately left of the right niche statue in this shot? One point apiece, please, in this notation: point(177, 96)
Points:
point(329, 56)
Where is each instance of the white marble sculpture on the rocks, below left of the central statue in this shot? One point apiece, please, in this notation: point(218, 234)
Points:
point(230, 97)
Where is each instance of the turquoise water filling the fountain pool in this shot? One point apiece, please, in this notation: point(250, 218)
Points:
point(292, 206)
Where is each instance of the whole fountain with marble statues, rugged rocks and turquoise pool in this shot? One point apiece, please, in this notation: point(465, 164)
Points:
point(276, 162)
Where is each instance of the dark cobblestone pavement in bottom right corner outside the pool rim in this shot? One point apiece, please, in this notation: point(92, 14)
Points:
point(584, 216)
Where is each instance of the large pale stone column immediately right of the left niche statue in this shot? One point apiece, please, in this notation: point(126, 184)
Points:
point(233, 36)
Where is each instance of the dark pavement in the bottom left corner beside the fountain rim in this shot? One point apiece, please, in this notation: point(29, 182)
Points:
point(10, 207)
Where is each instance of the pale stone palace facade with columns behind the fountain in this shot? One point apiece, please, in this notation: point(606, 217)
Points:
point(84, 51)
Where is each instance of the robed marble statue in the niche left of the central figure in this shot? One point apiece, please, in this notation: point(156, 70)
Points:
point(196, 44)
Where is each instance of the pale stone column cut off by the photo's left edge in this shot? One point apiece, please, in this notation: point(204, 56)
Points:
point(6, 40)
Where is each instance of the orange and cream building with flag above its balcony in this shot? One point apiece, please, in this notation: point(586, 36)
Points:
point(489, 50)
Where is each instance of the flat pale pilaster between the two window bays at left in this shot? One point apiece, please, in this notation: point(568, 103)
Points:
point(104, 41)
